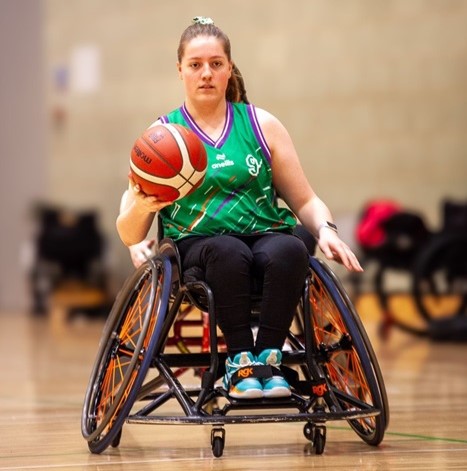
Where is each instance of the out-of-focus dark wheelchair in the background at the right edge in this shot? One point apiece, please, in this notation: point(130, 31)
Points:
point(436, 267)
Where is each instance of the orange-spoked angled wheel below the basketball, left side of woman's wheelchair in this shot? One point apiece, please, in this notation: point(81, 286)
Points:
point(125, 353)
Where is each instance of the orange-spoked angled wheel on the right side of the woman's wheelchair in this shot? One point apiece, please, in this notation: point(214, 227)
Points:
point(348, 361)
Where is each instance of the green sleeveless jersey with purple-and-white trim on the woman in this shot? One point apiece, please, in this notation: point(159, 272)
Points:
point(237, 196)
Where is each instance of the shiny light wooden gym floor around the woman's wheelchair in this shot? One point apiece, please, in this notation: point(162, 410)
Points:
point(44, 373)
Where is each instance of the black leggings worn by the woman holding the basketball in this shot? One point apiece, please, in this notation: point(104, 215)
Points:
point(278, 261)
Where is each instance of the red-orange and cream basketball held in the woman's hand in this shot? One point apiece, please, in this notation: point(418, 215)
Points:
point(168, 161)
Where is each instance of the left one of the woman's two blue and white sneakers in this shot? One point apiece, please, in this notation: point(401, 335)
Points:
point(238, 380)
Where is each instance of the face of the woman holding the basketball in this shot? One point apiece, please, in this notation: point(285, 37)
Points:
point(205, 69)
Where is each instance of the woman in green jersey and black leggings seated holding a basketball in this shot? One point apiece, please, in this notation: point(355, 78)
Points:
point(232, 227)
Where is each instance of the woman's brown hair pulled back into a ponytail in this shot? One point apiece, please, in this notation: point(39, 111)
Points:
point(236, 91)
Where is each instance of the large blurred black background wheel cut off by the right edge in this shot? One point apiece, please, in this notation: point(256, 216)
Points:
point(440, 278)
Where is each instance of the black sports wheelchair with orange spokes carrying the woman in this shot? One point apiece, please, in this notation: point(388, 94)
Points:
point(327, 359)
